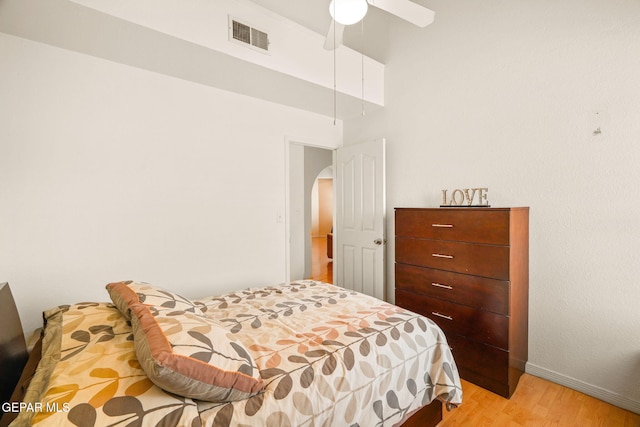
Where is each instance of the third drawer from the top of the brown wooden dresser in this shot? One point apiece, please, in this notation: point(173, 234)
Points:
point(478, 292)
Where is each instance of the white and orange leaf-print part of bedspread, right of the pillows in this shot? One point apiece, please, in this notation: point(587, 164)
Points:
point(332, 357)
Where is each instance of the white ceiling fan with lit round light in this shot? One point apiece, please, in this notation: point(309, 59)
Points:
point(348, 12)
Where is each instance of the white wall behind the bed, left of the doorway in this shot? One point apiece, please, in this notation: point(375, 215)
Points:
point(110, 173)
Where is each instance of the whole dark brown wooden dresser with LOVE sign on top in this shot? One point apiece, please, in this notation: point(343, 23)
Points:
point(468, 270)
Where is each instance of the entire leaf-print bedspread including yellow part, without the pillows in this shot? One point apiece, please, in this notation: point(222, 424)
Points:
point(328, 356)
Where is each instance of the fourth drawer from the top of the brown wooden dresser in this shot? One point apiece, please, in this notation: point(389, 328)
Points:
point(477, 325)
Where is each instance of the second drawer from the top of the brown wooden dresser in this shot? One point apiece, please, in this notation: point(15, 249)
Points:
point(468, 258)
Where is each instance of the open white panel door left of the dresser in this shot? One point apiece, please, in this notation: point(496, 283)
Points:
point(360, 208)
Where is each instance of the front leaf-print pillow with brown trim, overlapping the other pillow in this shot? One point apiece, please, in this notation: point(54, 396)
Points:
point(187, 354)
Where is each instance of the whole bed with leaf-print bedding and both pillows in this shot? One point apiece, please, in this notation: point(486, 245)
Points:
point(300, 354)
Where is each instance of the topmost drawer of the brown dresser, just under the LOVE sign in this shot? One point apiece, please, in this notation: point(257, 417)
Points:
point(489, 226)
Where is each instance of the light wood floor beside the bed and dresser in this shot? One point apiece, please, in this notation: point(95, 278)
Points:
point(537, 403)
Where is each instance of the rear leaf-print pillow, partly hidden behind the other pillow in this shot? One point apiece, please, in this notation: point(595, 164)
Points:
point(125, 294)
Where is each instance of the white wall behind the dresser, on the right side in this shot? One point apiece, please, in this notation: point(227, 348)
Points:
point(503, 95)
